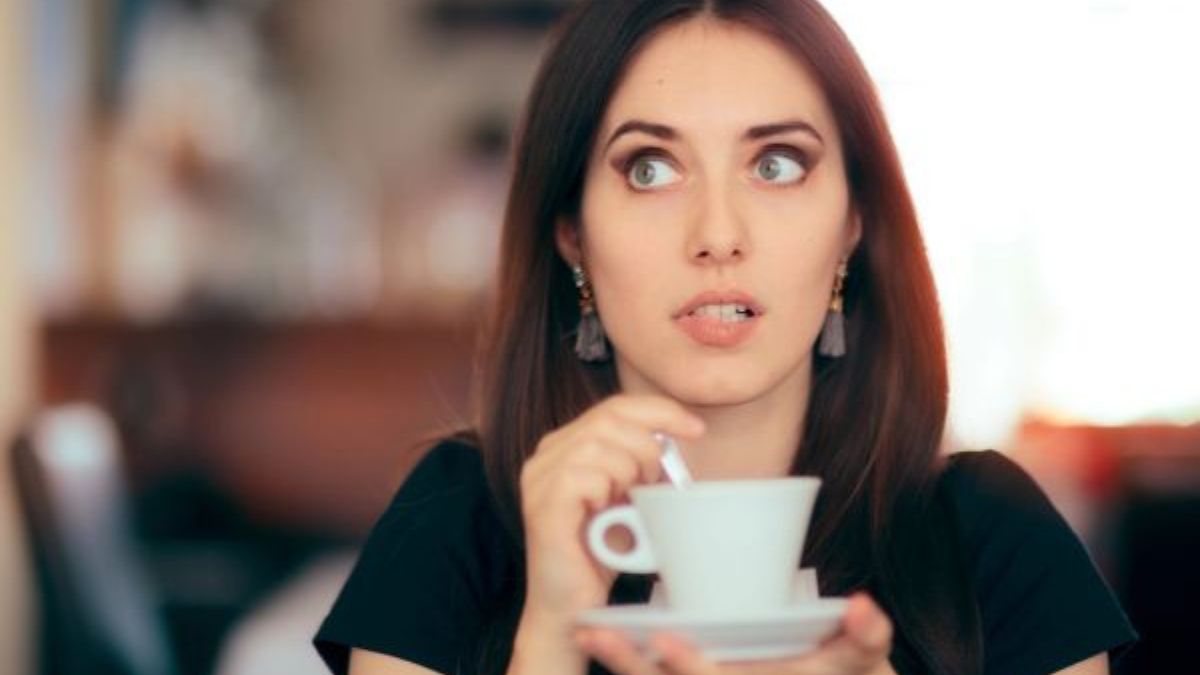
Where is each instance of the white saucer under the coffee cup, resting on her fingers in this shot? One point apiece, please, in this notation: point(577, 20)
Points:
point(779, 634)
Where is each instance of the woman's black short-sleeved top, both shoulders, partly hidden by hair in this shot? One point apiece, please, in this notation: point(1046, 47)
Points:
point(439, 558)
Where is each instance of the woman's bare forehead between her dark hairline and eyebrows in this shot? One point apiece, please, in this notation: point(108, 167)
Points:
point(717, 76)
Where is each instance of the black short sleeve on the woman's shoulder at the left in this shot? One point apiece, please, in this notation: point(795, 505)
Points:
point(425, 574)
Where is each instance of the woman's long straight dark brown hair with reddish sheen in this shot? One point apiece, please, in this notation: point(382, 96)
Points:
point(877, 416)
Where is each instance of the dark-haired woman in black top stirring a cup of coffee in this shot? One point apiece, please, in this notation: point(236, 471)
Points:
point(709, 235)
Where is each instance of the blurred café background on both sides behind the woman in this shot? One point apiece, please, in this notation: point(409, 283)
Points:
point(245, 246)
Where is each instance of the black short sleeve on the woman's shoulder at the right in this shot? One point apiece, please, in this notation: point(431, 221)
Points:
point(1045, 606)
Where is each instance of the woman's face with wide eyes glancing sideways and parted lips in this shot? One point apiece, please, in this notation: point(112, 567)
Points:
point(717, 170)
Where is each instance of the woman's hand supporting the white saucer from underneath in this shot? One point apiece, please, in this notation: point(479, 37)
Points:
point(861, 648)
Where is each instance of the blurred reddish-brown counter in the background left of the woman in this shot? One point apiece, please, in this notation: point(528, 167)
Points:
point(307, 426)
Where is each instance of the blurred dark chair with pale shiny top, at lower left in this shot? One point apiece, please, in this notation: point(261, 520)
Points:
point(99, 610)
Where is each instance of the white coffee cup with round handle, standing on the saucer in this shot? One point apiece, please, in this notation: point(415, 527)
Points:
point(721, 547)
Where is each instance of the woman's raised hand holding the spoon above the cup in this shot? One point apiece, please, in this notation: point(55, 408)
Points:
point(577, 471)
